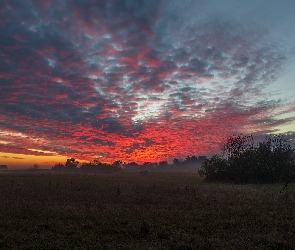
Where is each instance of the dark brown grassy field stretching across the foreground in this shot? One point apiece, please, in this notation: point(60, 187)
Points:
point(159, 210)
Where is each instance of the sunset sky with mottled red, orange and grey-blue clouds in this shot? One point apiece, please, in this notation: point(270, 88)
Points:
point(142, 81)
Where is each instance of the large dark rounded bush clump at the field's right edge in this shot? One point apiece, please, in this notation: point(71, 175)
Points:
point(243, 161)
